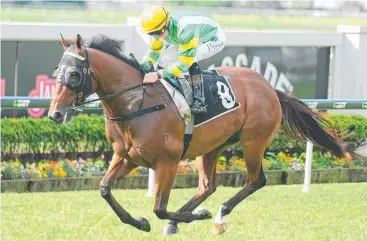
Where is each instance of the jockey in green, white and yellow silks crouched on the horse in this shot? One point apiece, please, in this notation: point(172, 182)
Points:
point(191, 37)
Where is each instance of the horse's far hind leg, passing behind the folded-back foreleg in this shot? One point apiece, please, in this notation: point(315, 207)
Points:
point(206, 166)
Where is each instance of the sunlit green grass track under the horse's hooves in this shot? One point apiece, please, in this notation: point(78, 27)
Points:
point(327, 212)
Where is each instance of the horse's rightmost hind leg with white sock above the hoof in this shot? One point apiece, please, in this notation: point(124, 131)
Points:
point(253, 153)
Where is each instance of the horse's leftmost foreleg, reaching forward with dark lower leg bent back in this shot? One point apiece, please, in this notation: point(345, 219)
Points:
point(118, 168)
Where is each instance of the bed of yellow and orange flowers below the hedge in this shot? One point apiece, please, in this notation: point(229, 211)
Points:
point(80, 168)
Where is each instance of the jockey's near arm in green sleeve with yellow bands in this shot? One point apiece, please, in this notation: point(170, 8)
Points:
point(186, 55)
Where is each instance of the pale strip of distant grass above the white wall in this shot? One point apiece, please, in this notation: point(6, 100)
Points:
point(259, 22)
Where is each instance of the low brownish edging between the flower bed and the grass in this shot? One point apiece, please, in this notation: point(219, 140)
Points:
point(227, 179)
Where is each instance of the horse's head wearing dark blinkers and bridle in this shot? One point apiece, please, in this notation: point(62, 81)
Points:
point(75, 81)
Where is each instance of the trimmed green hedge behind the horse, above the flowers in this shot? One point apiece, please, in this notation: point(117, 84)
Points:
point(85, 134)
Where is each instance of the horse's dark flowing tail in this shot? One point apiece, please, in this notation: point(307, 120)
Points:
point(301, 122)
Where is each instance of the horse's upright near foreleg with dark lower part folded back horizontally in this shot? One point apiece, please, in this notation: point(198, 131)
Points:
point(165, 173)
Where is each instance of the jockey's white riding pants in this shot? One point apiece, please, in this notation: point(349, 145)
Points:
point(204, 51)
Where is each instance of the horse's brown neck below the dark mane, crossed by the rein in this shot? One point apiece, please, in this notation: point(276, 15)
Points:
point(113, 76)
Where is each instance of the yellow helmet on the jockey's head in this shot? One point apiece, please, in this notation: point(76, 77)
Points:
point(154, 19)
